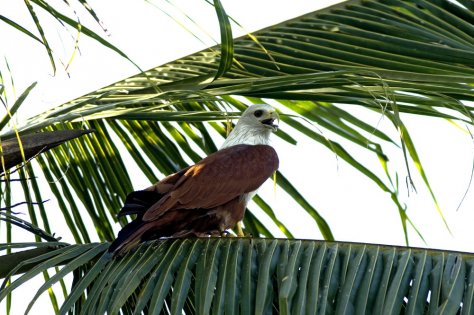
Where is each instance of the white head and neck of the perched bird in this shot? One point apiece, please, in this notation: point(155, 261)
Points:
point(254, 126)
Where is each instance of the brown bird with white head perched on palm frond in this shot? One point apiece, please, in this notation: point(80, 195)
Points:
point(209, 197)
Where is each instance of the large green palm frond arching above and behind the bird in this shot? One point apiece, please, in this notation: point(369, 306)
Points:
point(340, 55)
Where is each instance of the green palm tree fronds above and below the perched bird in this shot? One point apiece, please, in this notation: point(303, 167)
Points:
point(388, 56)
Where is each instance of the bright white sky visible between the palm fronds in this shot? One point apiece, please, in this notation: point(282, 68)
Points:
point(354, 207)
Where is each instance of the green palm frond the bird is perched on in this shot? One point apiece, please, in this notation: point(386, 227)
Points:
point(238, 275)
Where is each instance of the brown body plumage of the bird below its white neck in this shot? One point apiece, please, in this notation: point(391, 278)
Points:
point(203, 199)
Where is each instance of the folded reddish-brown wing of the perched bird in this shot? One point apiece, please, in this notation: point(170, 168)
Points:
point(218, 178)
